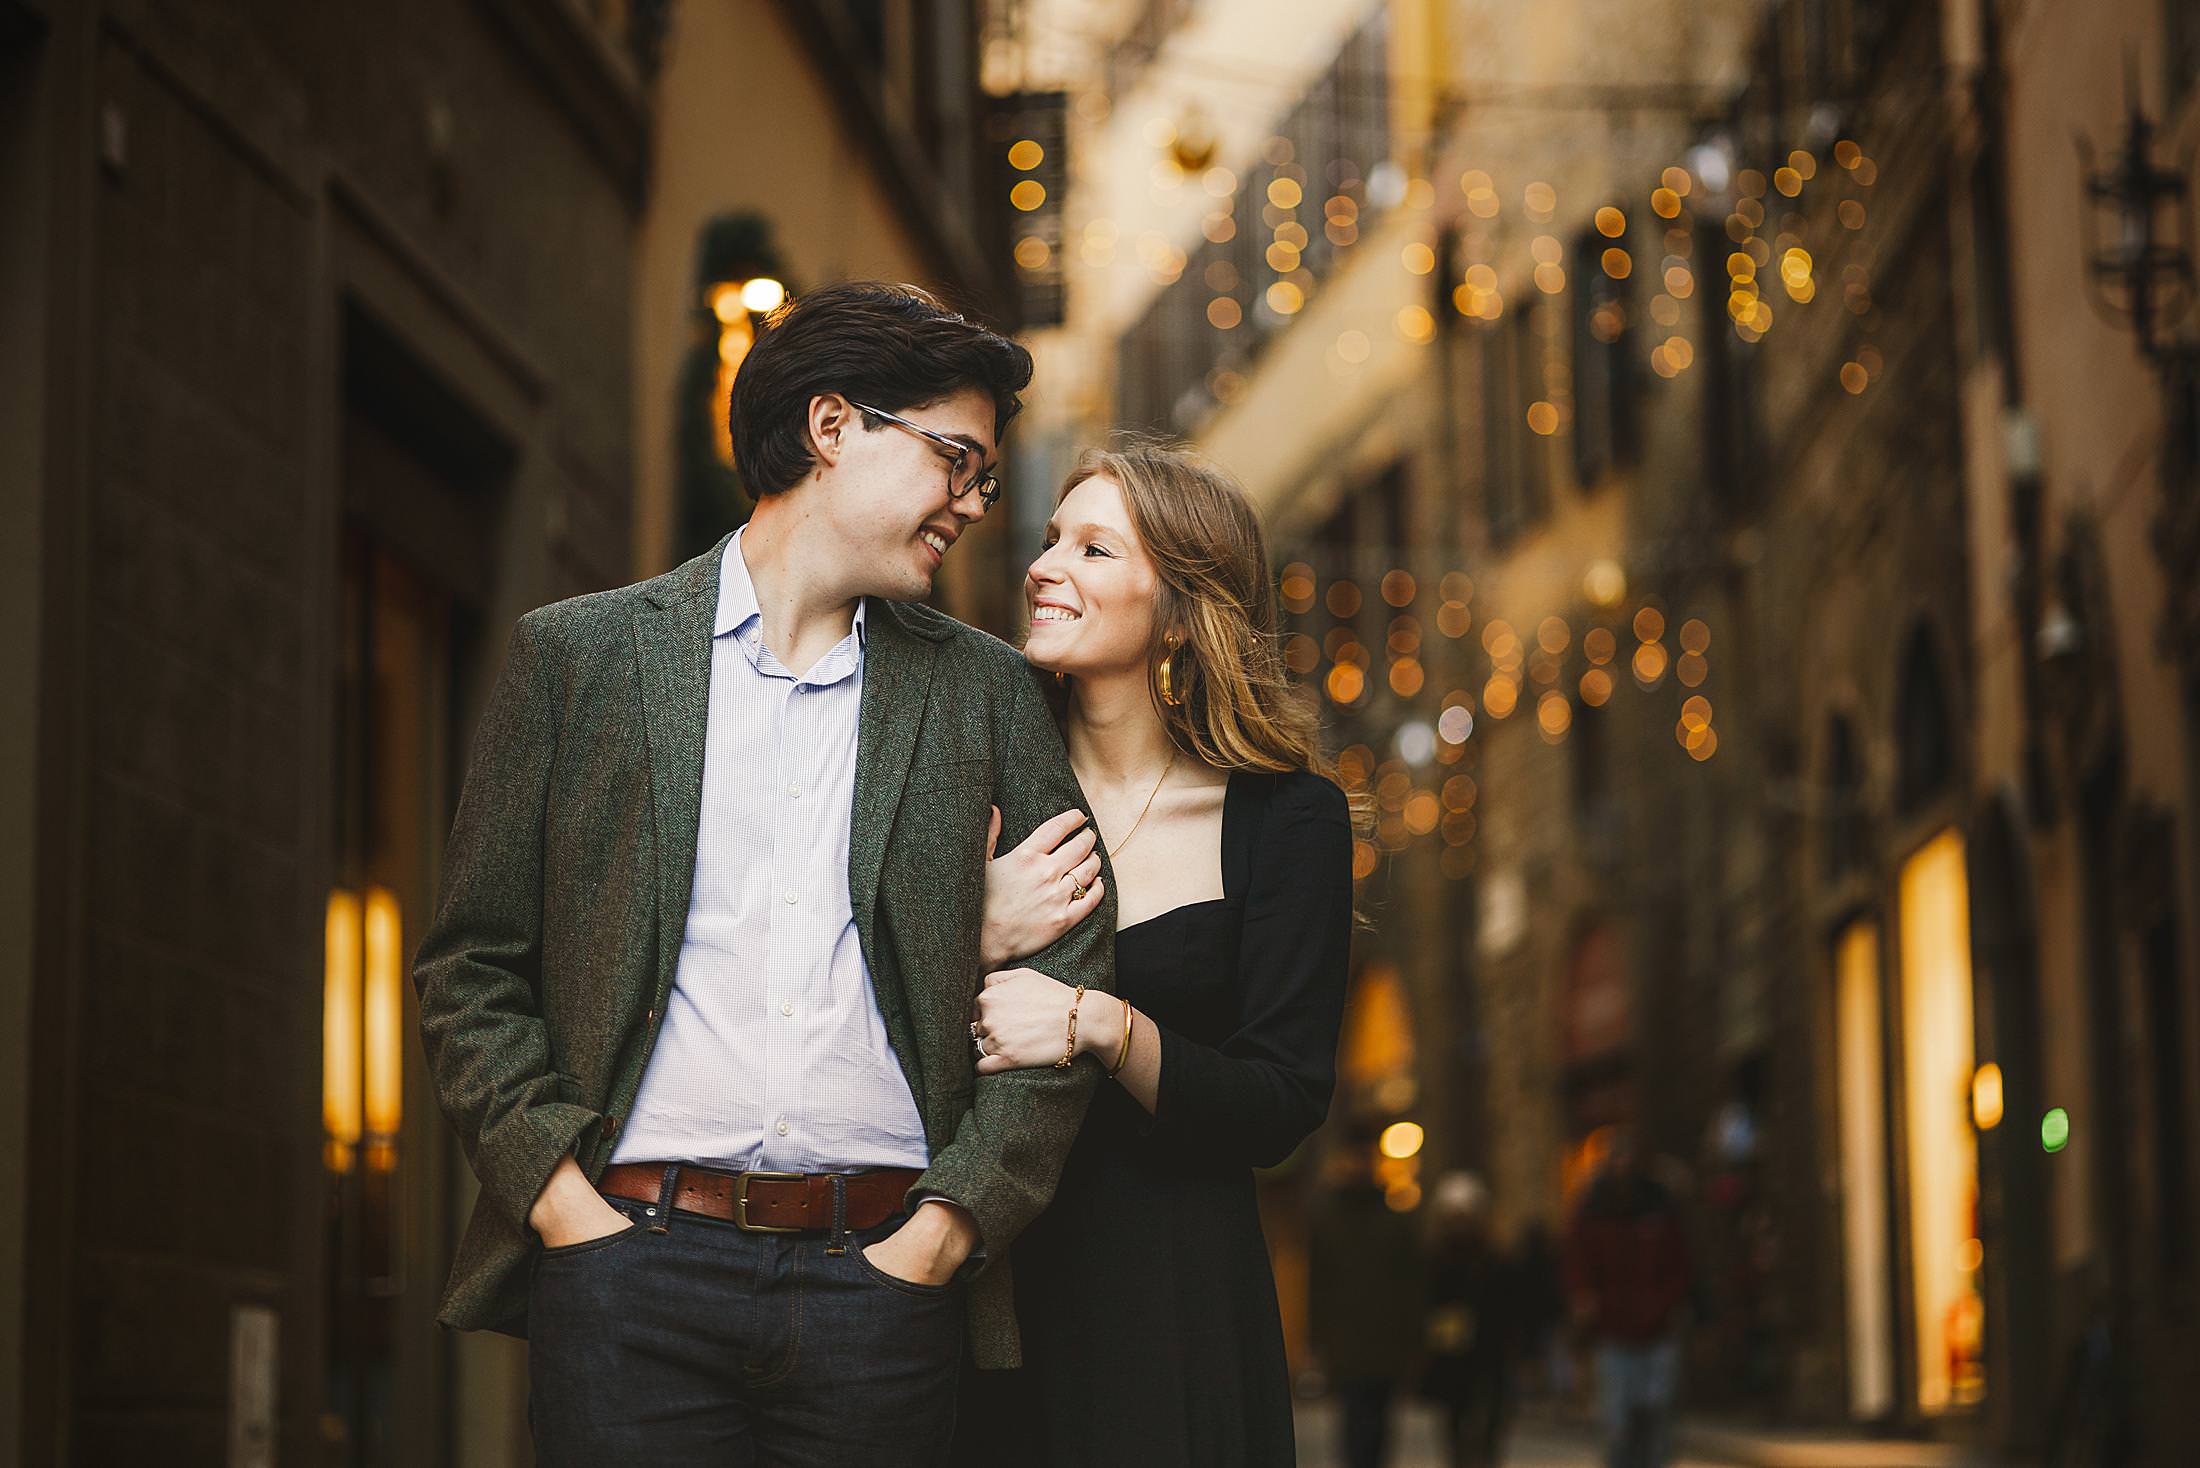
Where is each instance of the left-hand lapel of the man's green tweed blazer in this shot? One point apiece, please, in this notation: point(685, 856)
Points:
point(672, 642)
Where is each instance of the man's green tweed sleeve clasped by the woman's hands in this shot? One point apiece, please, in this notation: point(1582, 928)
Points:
point(1009, 1150)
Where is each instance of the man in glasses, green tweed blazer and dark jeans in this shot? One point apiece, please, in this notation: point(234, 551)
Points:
point(701, 985)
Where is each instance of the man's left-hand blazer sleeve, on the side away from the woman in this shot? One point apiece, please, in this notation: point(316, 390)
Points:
point(481, 961)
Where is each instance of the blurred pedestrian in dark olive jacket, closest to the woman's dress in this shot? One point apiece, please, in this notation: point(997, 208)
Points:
point(1365, 1300)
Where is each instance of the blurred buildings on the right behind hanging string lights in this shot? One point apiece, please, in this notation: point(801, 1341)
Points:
point(1750, 584)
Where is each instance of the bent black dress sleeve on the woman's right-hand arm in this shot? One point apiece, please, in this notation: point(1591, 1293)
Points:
point(1268, 1086)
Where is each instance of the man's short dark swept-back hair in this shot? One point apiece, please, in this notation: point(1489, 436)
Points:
point(872, 342)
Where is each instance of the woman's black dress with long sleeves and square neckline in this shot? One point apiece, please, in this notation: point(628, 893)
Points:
point(1143, 1293)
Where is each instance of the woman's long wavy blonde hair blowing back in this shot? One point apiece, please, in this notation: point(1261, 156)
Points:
point(1235, 705)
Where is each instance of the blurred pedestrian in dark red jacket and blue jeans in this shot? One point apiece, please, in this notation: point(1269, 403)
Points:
point(1629, 1278)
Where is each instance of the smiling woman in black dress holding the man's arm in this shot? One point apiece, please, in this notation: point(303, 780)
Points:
point(1145, 1295)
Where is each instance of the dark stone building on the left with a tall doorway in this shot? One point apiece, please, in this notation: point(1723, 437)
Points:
point(320, 338)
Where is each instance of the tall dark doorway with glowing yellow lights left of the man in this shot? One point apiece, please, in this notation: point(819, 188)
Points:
point(421, 483)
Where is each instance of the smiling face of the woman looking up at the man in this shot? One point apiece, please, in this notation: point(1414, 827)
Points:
point(1092, 591)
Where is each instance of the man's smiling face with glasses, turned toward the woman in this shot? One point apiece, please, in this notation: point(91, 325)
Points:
point(890, 496)
